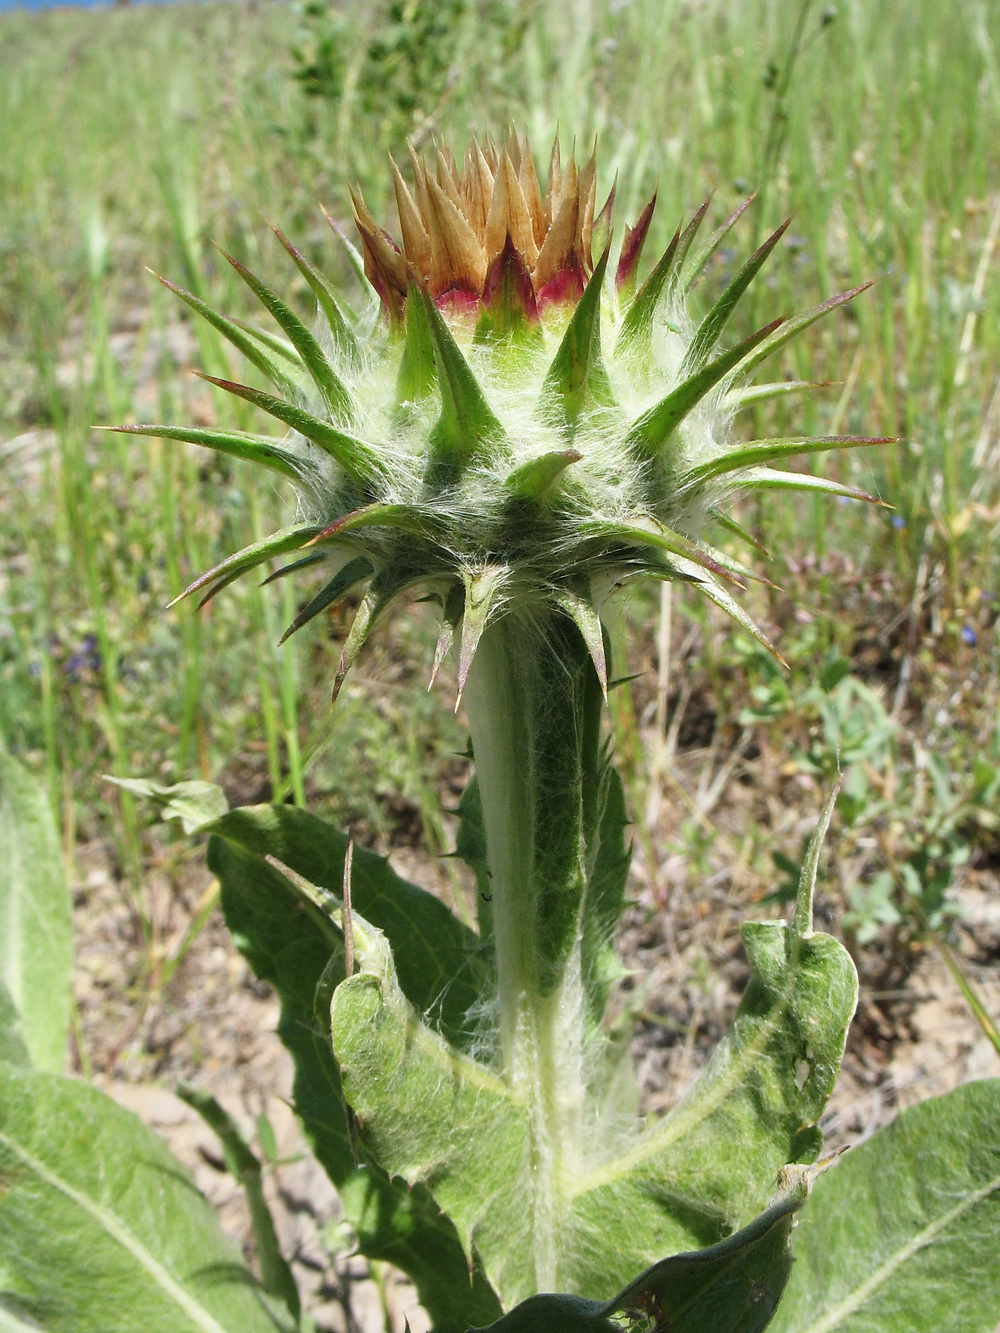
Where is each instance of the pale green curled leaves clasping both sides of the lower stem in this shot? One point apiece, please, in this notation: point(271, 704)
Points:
point(434, 1115)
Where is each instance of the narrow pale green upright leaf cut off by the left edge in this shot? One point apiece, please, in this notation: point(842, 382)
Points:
point(37, 934)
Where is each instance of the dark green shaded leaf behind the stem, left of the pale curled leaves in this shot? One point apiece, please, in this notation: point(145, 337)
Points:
point(290, 943)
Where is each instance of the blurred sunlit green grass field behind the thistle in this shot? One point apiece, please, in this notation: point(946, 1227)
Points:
point(135, 138)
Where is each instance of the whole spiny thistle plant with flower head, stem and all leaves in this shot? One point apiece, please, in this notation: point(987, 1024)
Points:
point(511, 431)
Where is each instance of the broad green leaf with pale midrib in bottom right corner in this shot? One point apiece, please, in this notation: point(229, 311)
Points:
point(905, 1235)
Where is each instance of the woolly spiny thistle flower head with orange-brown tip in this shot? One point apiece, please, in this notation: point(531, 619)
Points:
point(510, 429)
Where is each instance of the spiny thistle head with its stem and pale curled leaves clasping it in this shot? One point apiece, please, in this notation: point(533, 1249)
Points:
point(514, 430)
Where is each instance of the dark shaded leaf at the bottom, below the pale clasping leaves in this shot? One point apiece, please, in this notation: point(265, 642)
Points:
point(733, 1287)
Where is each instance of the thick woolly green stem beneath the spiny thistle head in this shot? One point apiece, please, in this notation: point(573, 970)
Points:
point(534, 707)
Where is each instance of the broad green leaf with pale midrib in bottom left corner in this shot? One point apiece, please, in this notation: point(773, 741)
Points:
point(102, 1230)
